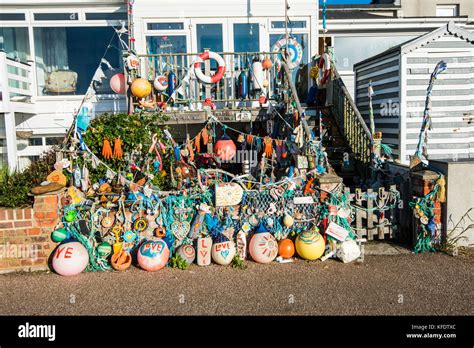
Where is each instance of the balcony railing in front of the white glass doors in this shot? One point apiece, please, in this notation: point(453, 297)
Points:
point(225, 92)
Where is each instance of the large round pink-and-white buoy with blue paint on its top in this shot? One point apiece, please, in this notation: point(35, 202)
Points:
point(153, 255)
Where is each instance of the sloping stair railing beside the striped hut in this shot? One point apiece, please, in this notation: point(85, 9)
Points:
point(350, 122)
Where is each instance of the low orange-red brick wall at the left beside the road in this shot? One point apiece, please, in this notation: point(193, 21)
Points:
point(25, 243)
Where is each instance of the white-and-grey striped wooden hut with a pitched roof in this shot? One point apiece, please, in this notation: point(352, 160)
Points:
point(400, 77)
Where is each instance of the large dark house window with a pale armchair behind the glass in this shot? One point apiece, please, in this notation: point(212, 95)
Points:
point(67, 58)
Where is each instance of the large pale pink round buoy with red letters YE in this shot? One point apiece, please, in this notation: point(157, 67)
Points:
point(70, 259)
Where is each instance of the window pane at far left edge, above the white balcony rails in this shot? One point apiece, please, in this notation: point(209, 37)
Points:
point(15, 43)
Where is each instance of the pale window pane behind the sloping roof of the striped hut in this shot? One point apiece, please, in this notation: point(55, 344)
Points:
point(353, 49)
